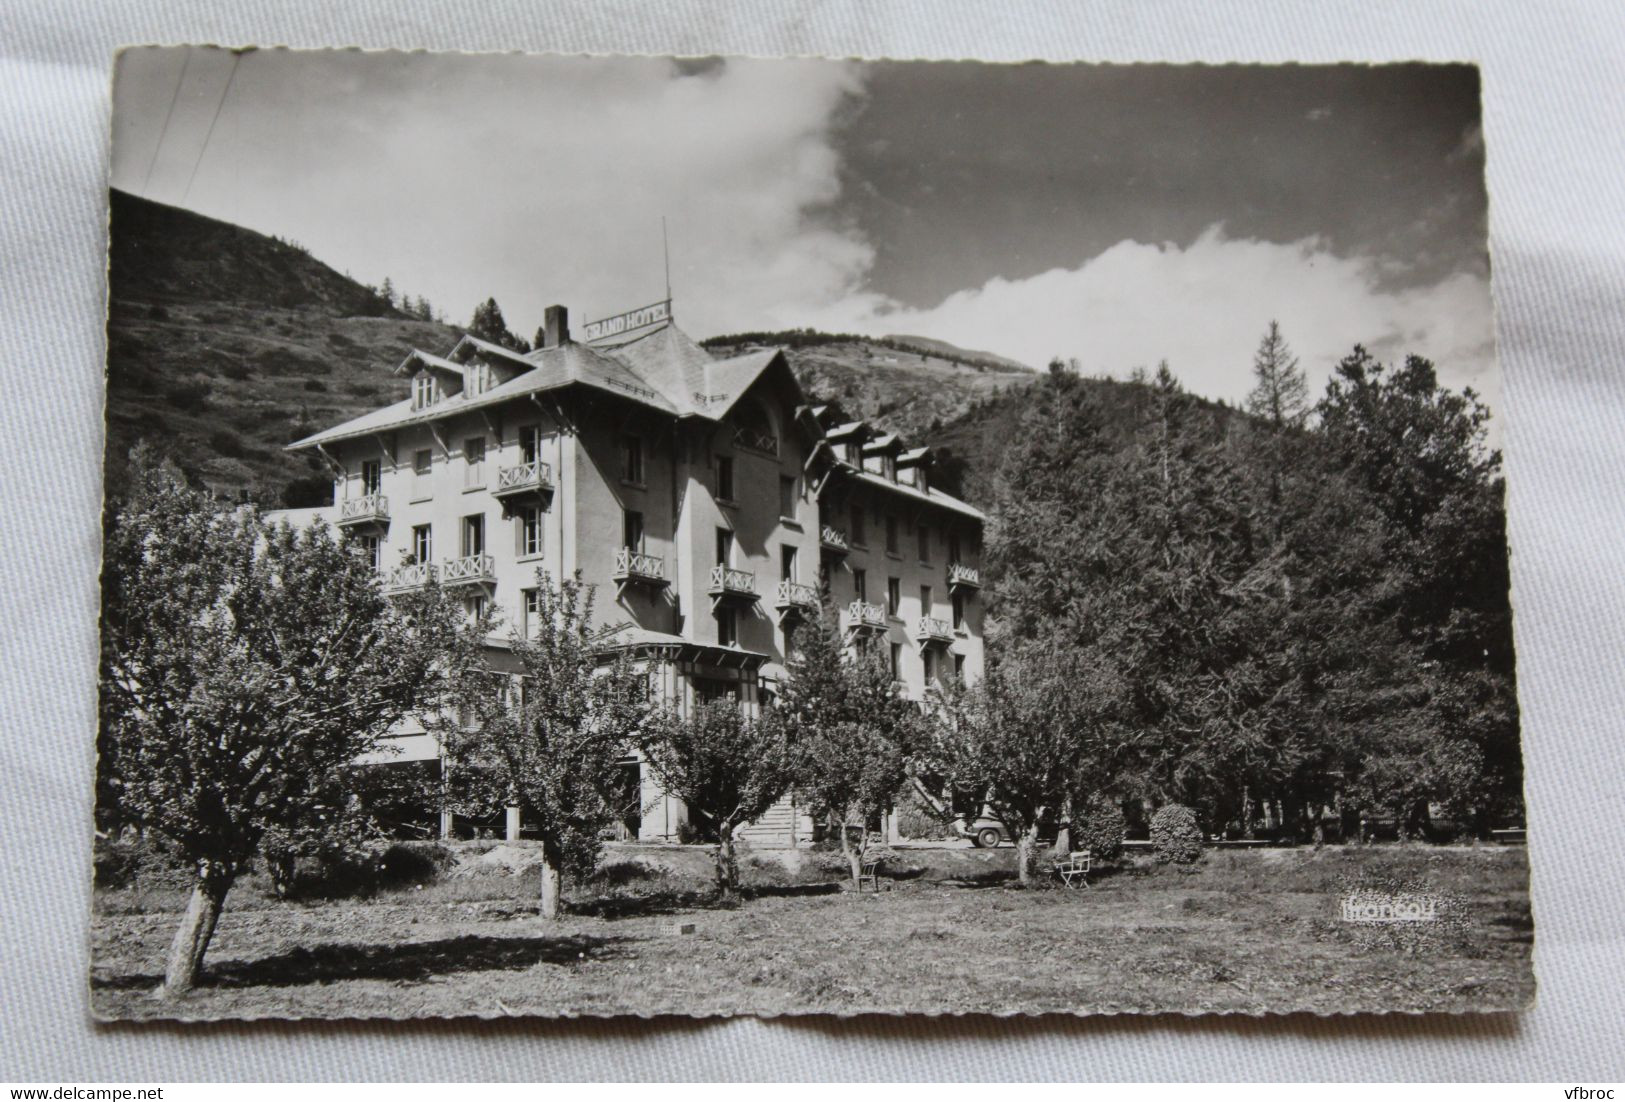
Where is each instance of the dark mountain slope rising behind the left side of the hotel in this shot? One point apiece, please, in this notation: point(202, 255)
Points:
point(223, 345)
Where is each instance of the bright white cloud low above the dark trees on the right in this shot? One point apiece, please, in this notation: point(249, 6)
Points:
point(1203, 308)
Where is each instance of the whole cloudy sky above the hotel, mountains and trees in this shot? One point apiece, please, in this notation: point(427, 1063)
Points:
point(1117, 215)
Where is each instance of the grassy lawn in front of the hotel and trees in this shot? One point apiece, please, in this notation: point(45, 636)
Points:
point(1254, 932)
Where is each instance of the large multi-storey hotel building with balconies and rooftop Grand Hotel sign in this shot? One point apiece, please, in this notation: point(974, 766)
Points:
point(704, 500)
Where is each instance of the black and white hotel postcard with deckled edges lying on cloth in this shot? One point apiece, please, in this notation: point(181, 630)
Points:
point(755, 537)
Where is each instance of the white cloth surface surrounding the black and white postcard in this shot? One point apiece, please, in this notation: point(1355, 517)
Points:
point(1556, 134)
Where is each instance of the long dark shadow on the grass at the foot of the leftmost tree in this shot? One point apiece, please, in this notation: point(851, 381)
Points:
point(407, 961)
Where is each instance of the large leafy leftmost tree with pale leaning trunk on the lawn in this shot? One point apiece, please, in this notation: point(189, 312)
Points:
point(243, 666)
